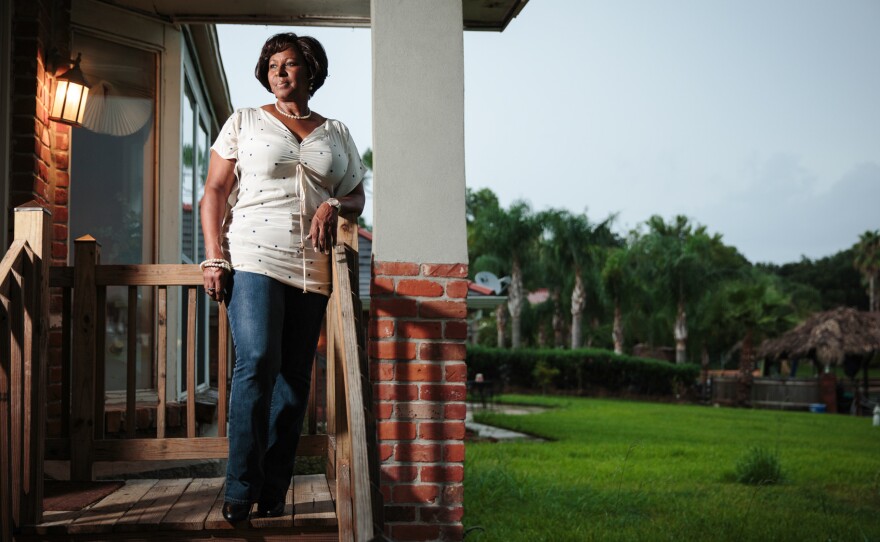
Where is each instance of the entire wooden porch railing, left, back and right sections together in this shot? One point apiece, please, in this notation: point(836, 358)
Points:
point(349, 443)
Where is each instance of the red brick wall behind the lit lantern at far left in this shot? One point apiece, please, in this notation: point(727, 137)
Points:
point(40, 148)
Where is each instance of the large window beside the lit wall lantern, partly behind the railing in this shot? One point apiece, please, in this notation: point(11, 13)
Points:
point(113, 161)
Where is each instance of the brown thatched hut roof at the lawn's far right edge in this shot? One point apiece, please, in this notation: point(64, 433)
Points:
point(828, 337)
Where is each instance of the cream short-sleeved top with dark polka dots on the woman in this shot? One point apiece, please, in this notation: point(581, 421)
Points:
point(280, 184)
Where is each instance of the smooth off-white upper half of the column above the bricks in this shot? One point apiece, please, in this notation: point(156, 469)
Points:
point(418, 131)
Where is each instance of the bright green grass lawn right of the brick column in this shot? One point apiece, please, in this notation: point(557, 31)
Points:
point(620, 470)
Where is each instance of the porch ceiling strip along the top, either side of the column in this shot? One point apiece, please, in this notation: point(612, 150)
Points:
point(478, 14)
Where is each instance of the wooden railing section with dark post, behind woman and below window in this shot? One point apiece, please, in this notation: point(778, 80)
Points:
point(83, 440)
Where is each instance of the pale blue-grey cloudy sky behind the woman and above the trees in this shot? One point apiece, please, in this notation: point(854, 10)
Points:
point(757, 119)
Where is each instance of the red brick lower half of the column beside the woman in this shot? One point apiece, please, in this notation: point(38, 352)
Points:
point(418, 329)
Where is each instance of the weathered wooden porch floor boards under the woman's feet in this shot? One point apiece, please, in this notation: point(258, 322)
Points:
point(188, 509)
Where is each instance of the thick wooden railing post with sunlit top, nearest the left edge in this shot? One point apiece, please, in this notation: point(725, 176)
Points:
point(33, 223)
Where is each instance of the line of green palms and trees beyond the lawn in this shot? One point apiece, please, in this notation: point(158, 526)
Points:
point(666, 284)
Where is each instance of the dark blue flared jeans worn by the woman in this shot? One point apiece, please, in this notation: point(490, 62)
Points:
point(275, 330)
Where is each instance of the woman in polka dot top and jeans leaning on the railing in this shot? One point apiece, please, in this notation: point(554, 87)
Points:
point(288, 172)
